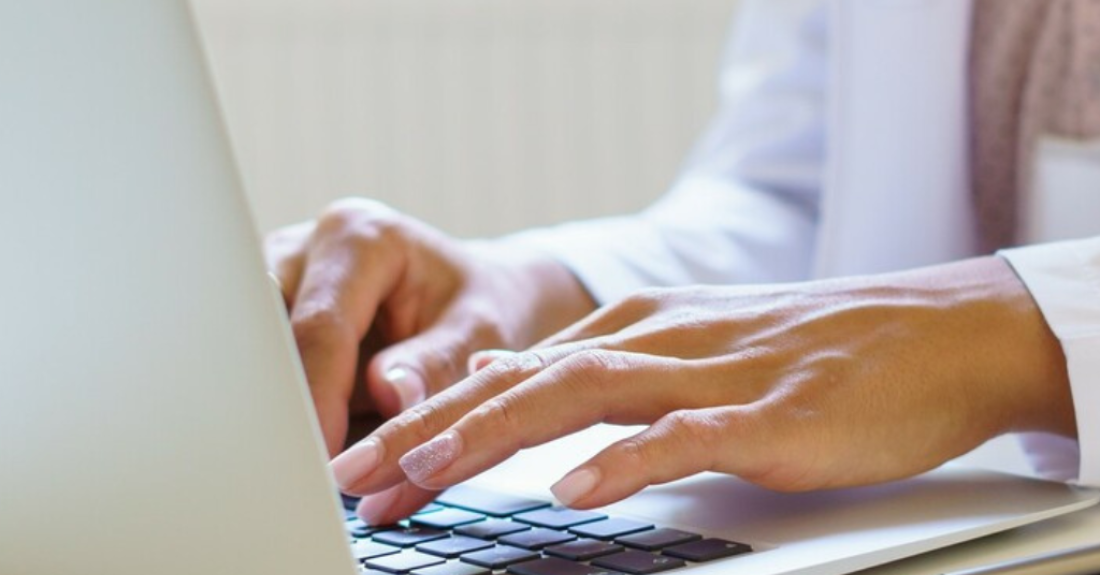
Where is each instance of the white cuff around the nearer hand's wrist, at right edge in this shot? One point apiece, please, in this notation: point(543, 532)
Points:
point(1064, 279)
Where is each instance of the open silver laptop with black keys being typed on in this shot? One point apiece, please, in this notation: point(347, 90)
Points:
point(155, 417)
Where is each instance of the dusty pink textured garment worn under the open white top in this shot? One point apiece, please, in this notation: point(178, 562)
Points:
point(1036, 72)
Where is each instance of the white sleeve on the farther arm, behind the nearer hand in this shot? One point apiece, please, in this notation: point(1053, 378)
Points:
point(745, 208)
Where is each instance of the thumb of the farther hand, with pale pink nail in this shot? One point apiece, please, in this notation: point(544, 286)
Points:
point(405, 374)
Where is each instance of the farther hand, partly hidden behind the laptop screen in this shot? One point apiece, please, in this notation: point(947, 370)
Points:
point(427, 301)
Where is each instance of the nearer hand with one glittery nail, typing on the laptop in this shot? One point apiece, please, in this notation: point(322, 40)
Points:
point(797, 388)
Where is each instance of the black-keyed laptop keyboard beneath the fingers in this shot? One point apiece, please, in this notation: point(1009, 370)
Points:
point(470, 532)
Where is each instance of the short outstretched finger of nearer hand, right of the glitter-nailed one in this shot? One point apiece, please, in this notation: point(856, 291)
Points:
point(680, 445)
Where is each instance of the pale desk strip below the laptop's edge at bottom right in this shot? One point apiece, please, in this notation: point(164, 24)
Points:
point(1064, 533)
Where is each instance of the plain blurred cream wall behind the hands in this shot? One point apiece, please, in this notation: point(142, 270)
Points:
point(480, 117)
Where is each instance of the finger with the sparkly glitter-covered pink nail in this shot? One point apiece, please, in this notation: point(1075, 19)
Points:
point(577, 393)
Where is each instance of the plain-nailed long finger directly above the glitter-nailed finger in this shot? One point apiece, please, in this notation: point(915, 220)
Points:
point(372, 465)
